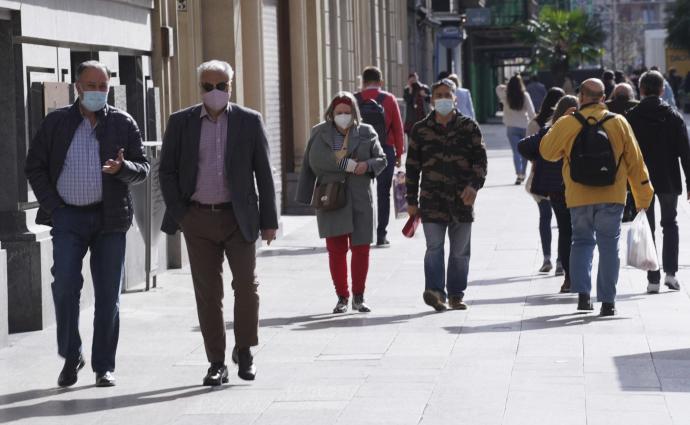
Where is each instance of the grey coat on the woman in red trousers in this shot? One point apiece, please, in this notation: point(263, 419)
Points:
point(320, 165)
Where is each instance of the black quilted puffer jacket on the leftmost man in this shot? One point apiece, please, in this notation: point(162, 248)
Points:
point(115, 130)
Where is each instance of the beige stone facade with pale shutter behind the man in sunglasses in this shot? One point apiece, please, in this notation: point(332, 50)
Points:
point(290, 58)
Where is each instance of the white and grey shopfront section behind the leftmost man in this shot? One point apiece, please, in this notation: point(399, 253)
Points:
point(41, 43)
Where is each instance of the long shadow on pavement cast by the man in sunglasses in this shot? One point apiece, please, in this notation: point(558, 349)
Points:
point(88, 405)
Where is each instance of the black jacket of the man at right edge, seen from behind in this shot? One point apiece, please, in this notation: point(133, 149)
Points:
point(663, 138)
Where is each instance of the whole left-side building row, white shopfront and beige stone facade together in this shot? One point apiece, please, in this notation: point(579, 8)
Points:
point(290, 58)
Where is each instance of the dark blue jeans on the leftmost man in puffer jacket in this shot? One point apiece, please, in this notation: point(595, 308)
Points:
point(74, 232)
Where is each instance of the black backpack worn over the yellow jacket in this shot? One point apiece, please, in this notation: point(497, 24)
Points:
point(592, 161)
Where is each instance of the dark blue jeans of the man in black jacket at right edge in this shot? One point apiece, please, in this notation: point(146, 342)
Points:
point(668, 203)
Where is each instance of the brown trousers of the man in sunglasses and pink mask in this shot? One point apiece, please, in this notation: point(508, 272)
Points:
point(209, 235)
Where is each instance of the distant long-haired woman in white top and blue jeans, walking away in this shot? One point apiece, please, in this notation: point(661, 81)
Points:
point(517, 113)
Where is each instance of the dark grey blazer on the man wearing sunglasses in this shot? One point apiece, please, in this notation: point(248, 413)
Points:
point(246, 161)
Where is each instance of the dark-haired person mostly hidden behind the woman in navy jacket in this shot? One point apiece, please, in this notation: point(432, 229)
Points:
point(539, 122)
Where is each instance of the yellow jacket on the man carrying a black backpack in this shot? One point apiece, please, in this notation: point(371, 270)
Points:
point(558, 143)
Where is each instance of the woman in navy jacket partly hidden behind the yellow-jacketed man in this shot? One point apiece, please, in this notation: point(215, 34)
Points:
point(548, 182)
